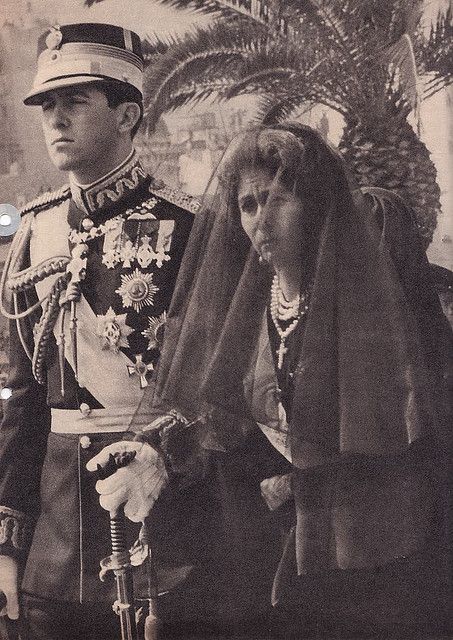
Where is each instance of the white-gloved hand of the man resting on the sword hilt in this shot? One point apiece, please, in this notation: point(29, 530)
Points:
point(136, 485)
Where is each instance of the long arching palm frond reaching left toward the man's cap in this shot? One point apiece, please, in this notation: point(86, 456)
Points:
point(229, 60)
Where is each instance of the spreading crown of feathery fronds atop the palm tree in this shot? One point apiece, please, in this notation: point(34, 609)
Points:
point(373, 52)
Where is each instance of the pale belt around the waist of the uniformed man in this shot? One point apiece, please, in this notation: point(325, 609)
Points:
point(113, 420)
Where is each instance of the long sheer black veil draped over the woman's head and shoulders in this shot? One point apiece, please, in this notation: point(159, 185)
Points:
point(369, 362)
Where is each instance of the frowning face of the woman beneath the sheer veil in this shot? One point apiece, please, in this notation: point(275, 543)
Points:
point(272, 217)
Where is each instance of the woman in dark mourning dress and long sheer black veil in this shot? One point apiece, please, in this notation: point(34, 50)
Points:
point(304, 311)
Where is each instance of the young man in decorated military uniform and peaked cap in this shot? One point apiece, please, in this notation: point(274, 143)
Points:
point(87, 284)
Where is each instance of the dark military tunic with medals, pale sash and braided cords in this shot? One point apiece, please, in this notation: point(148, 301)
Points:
point(89, 280)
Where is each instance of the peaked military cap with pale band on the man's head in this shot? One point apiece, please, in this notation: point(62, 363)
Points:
point(82, 53)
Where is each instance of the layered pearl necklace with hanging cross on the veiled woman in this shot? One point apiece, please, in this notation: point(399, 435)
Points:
point(281, 309)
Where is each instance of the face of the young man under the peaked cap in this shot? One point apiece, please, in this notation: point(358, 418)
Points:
point(81, 130)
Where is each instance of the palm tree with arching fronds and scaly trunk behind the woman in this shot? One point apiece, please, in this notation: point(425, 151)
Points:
point(369, 60)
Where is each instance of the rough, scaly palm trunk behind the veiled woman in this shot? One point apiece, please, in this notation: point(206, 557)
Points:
point(386, 152)
